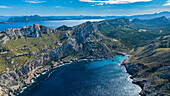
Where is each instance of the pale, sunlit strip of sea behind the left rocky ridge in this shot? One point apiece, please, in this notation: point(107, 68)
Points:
point(51, 24)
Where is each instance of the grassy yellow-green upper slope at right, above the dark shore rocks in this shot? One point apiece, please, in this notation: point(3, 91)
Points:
point(156, 56)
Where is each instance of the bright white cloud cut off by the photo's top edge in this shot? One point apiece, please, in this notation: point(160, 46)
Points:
point(114, 1)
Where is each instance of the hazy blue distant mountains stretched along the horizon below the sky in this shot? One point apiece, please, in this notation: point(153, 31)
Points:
point(34, 18)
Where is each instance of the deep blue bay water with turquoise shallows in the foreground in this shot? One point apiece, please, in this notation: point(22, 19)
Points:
point(85, 78)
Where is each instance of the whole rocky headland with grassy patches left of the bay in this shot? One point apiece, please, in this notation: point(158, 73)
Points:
point(46, 48)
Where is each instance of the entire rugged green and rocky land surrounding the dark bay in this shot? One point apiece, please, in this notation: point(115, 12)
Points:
point(31, 50)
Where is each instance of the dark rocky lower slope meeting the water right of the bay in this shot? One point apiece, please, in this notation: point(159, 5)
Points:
point(148, 89)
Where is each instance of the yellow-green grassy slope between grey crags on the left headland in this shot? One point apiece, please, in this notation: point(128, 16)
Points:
point(27, 45)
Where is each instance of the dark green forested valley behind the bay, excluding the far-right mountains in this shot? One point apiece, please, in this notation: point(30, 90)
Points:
point(130, 34)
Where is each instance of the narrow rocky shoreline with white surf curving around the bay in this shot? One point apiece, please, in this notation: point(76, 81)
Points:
point(55, 65)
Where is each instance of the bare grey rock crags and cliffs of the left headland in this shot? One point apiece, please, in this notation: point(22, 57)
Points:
point(82, 41)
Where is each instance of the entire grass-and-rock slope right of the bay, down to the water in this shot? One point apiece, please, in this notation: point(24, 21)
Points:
point(150, 67)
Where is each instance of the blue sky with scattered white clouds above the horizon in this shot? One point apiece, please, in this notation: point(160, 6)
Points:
point(82, 7)
